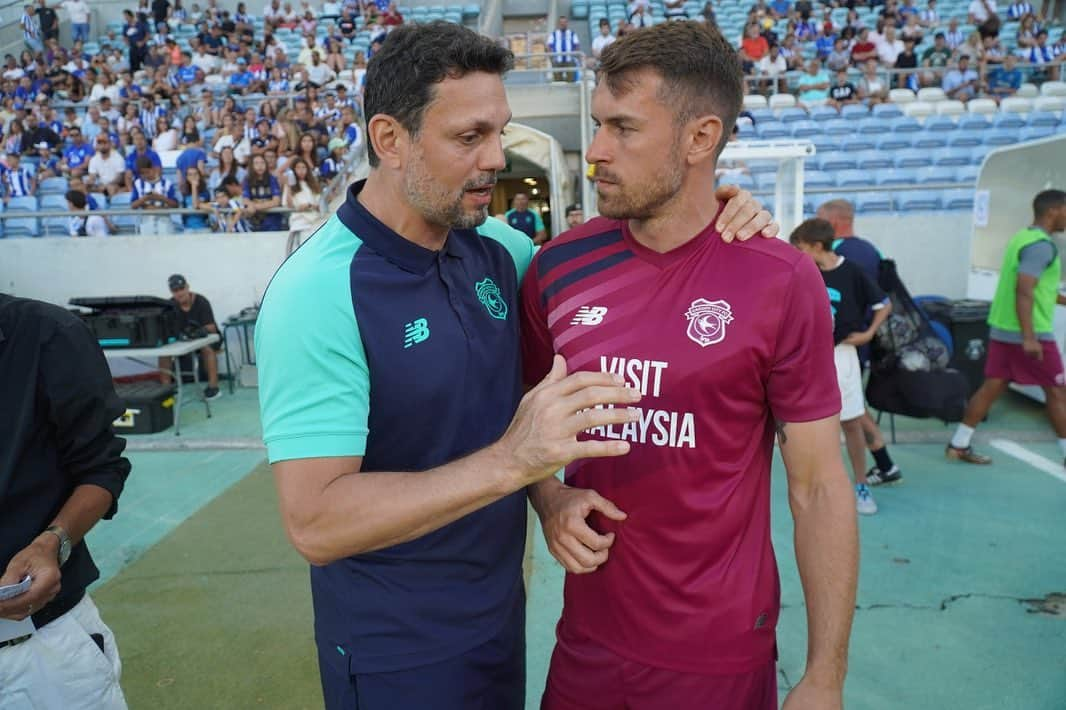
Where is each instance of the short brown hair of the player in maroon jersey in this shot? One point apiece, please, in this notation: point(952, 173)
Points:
point(701, 70)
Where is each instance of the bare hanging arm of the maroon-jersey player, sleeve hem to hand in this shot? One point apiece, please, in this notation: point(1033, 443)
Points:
point(827, 542)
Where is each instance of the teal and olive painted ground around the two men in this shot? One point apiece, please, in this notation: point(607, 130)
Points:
point(212, 607)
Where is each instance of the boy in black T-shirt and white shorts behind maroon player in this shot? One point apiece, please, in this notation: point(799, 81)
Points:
point(851, 295)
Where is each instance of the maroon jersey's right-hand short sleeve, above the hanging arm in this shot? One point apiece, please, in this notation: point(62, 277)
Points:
point(802, 385)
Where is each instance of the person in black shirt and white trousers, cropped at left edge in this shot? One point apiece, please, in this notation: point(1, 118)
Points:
point(61, 471)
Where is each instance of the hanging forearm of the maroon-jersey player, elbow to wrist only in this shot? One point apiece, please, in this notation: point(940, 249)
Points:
point(827, 541)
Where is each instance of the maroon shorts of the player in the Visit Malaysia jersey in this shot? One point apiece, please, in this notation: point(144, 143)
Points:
point(586, 676)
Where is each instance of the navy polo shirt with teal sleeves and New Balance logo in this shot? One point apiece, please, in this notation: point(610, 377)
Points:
point(372, 346)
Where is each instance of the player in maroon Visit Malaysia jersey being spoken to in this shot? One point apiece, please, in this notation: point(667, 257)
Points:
point(672, 595)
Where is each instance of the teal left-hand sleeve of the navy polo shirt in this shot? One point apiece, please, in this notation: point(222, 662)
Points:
point(314, 381)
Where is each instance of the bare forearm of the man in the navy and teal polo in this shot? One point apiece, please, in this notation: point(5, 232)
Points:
point(363, 512)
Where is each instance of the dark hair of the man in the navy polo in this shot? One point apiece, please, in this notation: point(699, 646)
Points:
point(401, 76)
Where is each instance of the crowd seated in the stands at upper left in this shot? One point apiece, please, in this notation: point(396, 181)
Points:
point(231, 122)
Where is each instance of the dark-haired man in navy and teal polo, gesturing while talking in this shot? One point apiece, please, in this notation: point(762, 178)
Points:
point(392, 397)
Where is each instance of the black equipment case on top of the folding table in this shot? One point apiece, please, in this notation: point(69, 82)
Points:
point(131, 321)
